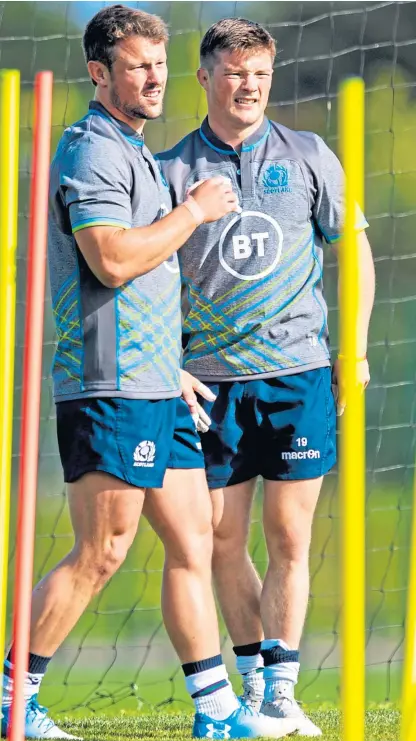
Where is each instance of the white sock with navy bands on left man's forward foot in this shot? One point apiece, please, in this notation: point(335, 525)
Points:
point(218, 704)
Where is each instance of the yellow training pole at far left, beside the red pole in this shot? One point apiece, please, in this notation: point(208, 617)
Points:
point(9, 175)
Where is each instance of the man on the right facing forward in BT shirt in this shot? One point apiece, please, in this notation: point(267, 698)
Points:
point(255, 324)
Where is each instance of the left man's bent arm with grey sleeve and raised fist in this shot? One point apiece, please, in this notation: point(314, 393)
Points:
point(95, 185)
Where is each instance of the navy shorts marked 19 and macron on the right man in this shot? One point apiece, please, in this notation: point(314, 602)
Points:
point(281, 428)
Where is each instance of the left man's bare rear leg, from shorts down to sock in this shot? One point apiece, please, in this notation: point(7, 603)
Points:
point(105, 513)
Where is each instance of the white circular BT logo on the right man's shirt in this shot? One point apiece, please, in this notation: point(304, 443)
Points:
point(260, 246)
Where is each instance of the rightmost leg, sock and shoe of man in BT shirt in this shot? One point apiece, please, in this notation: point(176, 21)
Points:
point(288, 512)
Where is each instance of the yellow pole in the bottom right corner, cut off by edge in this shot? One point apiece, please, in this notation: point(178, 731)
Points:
point(408, 726)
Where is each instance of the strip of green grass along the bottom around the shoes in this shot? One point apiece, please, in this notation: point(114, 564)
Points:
point(382, 724)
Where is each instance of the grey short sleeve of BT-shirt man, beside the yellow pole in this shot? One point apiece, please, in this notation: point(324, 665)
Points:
point(329, 207)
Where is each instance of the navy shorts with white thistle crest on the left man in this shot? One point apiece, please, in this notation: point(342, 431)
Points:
point(135, 440)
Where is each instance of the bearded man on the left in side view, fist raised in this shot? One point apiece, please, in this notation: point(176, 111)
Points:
point(123, 429)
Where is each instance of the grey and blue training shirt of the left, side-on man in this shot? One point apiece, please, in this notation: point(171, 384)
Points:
point(111, 341)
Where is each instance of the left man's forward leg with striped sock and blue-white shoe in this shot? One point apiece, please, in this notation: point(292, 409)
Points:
point(181, 513)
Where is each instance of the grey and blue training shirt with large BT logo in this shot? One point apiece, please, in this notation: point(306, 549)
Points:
point(253, 302)
